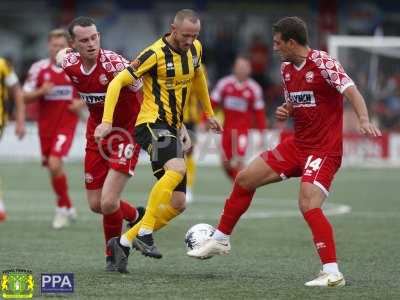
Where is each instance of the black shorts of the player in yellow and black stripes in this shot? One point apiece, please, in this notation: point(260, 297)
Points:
point(162, 143)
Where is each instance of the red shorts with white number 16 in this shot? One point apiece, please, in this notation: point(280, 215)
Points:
point(121, 155)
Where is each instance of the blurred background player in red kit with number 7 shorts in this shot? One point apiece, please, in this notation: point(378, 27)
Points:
point(59, 106)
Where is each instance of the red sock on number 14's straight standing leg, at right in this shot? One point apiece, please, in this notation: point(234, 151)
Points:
point(322, 234)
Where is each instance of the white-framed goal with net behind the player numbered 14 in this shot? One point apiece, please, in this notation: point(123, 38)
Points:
point(374, 64)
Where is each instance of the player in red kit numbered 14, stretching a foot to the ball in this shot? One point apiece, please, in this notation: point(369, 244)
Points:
point(314, 85)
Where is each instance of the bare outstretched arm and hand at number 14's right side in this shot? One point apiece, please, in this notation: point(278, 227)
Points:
point(360, 108)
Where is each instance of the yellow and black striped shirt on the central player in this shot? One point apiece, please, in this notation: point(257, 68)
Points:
point(168, 76)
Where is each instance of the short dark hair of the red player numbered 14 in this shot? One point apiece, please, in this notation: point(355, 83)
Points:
point(292, 28)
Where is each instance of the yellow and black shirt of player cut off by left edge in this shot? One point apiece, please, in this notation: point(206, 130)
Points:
point(7, 79)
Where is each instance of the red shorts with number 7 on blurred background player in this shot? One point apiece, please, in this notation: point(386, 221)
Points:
point(57, 145)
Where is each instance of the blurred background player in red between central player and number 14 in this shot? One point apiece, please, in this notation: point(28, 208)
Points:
point(241, 100)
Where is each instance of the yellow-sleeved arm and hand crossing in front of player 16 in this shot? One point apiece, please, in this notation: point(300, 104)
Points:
point(114, 88)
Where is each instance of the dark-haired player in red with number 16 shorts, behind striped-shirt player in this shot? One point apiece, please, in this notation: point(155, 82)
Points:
point(110, 162)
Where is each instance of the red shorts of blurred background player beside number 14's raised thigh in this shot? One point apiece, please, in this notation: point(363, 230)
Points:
point(234, 144)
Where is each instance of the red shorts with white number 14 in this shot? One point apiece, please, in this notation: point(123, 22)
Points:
point(288, 161)
